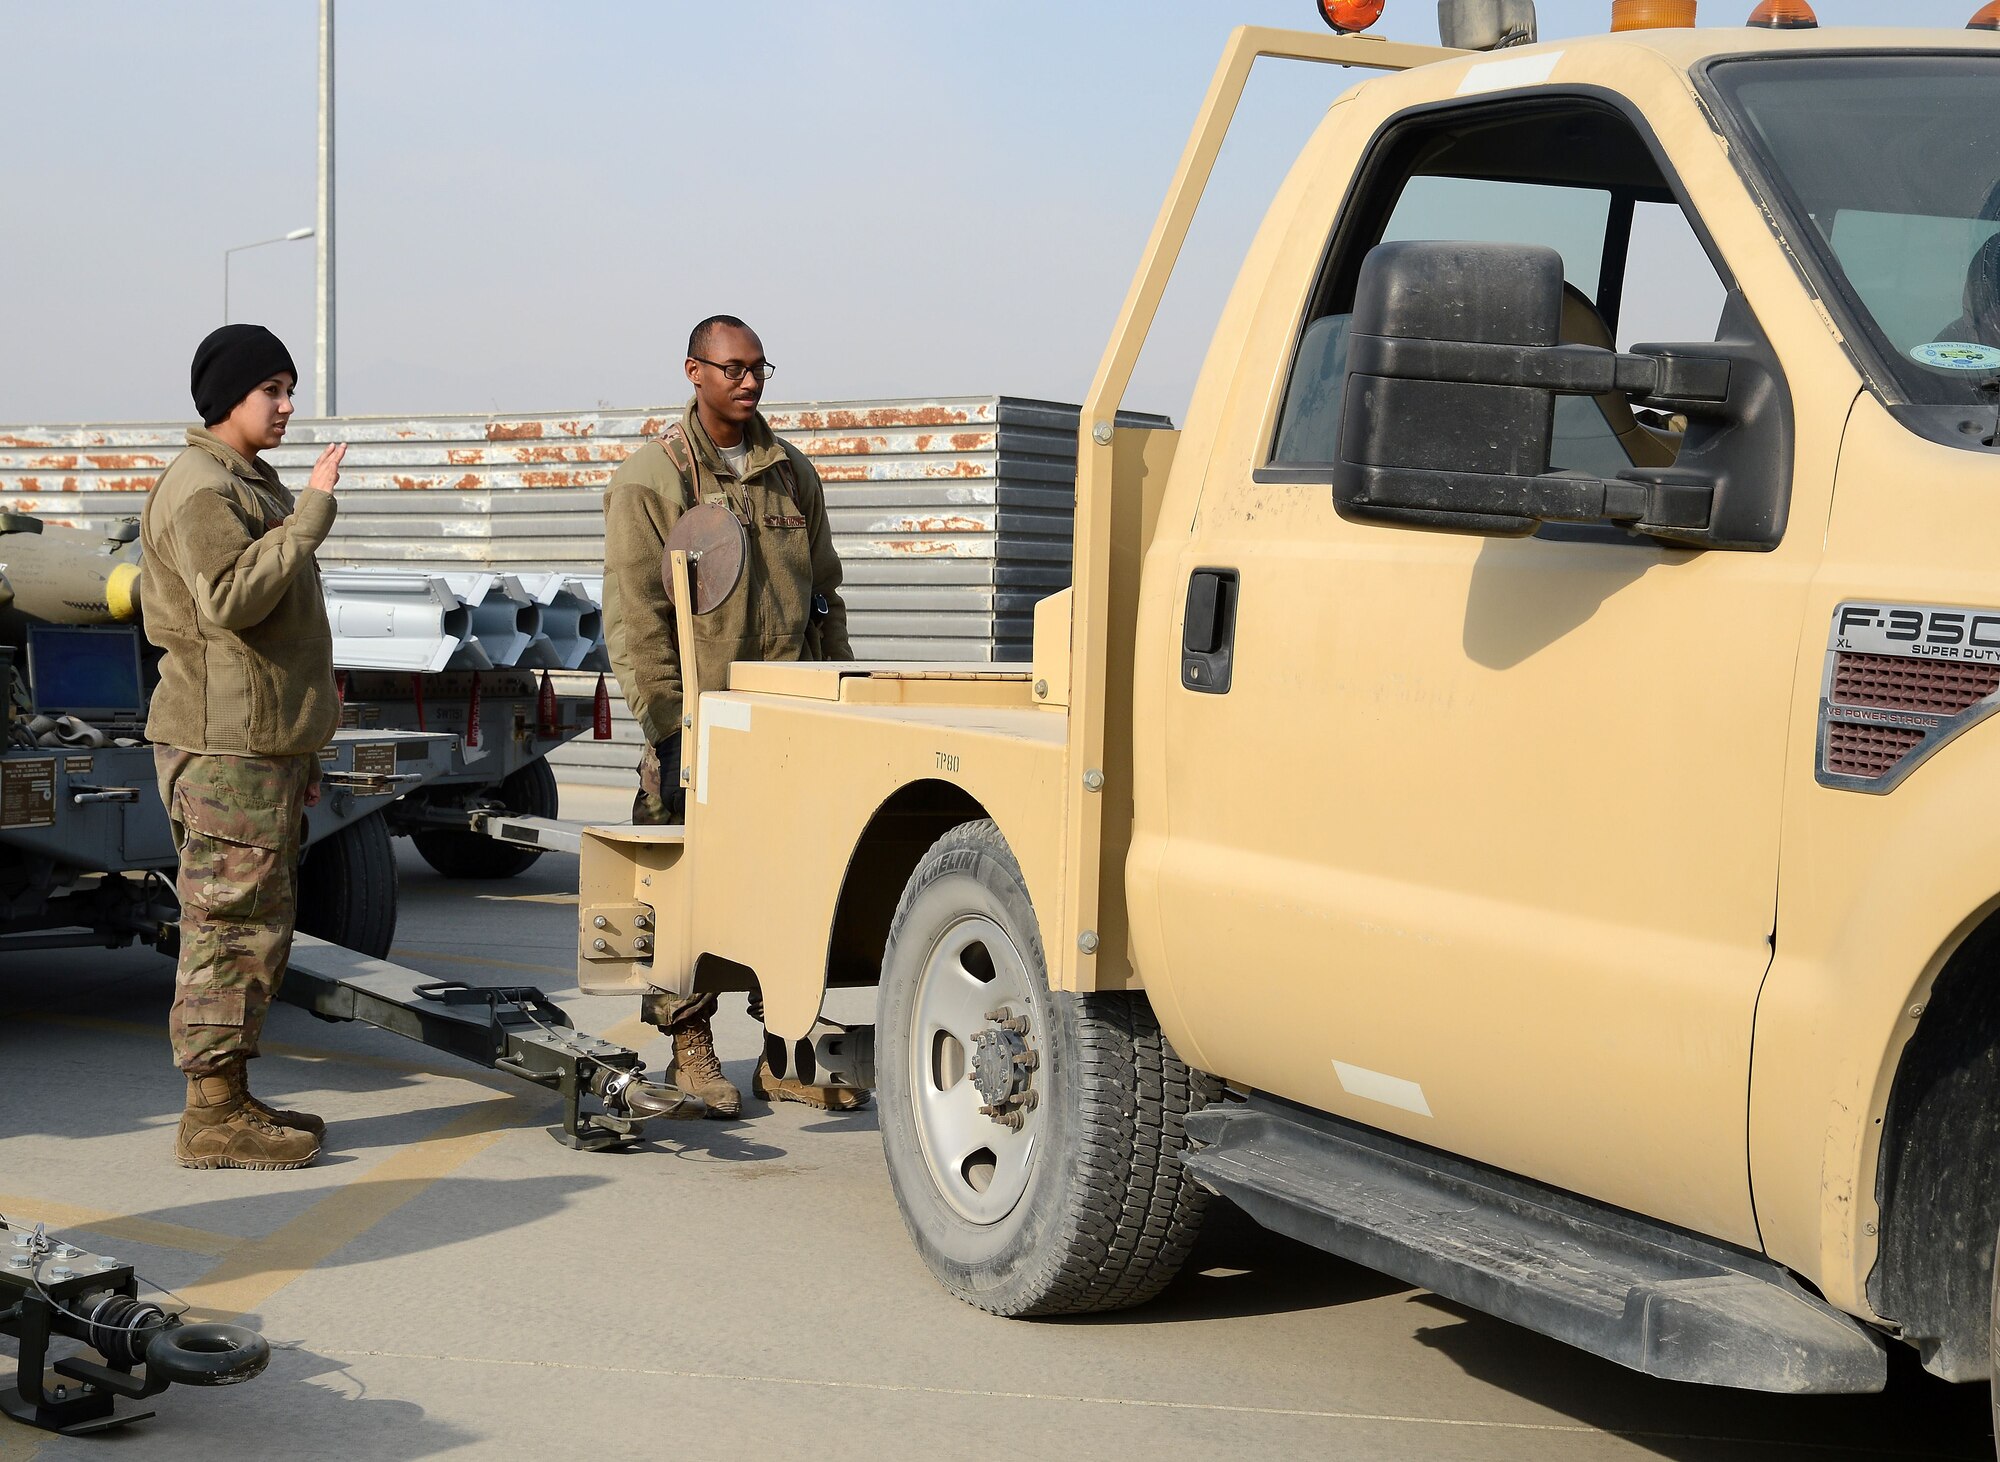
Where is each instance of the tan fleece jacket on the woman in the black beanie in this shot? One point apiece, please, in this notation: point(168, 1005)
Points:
point(233, 597)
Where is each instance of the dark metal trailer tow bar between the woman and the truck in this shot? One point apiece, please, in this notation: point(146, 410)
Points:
point(513, 1029)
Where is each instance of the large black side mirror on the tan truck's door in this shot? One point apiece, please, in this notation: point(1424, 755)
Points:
point(1455, 365)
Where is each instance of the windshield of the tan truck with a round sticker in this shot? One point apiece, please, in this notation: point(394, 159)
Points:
point(1891, 167)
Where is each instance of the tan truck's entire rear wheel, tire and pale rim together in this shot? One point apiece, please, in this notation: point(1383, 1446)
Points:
point(1033, 1137)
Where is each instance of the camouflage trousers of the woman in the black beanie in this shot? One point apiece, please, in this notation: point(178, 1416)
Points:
point(237, 825)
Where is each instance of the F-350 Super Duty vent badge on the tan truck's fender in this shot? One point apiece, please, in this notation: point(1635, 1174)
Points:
point(1901, 681)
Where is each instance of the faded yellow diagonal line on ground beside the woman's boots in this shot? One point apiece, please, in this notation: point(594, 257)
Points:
point(259, 1269)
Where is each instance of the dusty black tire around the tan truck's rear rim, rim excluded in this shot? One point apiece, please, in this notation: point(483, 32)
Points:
point(1109, 1211)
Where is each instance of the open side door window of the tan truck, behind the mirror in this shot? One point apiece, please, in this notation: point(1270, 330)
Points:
point(1563, 175)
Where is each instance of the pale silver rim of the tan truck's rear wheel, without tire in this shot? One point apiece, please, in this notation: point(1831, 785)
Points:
point(973, 1061)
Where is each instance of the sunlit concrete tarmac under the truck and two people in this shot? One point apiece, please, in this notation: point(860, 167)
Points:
point(449, 1281)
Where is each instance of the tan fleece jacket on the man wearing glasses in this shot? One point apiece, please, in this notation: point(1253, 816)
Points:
point(767, 619)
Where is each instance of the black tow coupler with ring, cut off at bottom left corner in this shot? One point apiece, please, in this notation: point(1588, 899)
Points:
point(55, 1291)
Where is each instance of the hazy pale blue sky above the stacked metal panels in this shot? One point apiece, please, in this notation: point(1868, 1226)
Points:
point(537, 201)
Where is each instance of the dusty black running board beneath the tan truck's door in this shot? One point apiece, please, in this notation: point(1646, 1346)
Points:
point(1649, 1297)
